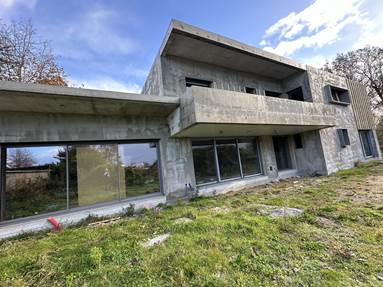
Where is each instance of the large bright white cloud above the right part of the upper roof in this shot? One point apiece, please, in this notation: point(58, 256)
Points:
point(318, 25)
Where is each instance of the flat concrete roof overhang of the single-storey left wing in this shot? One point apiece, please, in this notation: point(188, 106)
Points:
point(21, 97)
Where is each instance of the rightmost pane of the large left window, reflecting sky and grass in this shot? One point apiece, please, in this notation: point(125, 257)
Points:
point(138, 167)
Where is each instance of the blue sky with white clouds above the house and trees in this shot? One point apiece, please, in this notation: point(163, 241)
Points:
point(112, 44)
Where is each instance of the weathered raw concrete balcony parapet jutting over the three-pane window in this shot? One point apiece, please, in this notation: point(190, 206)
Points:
point(214, 106)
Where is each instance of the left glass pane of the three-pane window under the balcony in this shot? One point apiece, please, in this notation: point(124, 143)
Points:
point(204, 161)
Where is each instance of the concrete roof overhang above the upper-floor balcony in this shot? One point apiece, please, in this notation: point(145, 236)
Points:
point(186, 41)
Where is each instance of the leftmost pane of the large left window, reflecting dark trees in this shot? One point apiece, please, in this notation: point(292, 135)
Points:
point(35, 181)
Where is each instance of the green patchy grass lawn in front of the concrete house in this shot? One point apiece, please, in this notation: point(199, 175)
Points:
point(337, 241)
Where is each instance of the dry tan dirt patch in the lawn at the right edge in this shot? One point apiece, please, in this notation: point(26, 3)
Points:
point(371, 191)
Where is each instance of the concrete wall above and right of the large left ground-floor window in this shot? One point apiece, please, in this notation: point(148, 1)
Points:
point(39, 127)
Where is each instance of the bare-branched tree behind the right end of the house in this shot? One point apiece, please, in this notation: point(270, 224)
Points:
point(365, 66)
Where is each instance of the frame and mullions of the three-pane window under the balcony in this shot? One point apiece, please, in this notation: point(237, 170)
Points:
point(217, 171)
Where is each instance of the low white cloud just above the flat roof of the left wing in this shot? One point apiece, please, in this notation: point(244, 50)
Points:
point(106, 83)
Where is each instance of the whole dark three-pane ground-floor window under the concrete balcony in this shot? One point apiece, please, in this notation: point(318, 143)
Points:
point(223, 159)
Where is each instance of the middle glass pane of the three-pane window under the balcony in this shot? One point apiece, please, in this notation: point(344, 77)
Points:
point(228, 159)
